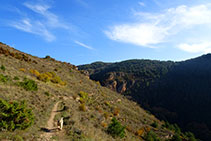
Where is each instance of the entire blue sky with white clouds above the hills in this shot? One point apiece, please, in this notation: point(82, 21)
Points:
point(85, 31)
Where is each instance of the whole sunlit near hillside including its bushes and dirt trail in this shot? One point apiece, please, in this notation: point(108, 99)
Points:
point(52, 89)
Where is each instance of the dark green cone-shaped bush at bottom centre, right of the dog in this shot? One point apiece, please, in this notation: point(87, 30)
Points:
point(116, 129)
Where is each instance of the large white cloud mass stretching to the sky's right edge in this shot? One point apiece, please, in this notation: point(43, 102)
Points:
point(156, 28)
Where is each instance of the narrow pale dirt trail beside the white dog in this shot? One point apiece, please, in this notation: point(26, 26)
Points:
point(50, 130)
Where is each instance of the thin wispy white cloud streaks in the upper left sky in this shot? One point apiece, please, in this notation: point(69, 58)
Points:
point(39, 26)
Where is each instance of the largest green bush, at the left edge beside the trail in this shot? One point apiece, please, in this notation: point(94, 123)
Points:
point(14, 115)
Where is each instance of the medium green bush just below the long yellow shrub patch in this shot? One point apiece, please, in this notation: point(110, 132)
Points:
point(29, 85)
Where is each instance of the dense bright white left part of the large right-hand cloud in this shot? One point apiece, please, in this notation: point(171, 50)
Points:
point(140, 34)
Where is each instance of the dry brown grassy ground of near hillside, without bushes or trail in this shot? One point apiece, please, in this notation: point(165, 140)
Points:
point(90, 124)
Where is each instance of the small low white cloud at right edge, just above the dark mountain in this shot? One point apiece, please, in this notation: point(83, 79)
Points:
point(203, 47)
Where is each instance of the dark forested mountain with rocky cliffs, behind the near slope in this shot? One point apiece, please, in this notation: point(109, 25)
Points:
point(175, 91)
